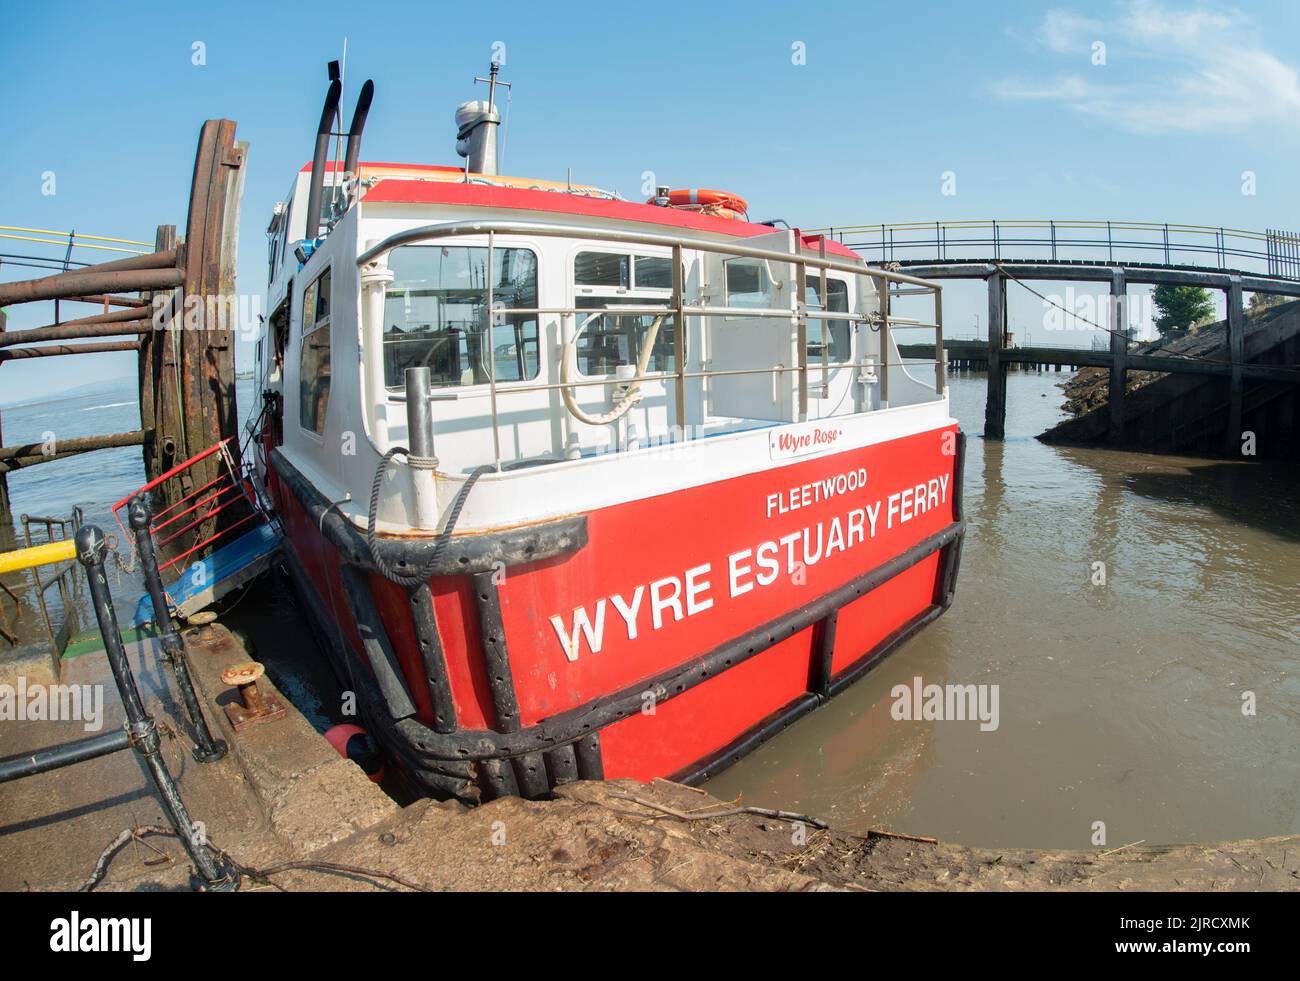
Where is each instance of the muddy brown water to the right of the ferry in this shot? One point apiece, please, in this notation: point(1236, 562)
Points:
point(1119, 704)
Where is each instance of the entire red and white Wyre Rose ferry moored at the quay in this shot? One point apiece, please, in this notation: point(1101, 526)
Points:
point(583, 488)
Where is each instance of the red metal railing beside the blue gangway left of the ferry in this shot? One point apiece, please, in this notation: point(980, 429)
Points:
point(200, 506)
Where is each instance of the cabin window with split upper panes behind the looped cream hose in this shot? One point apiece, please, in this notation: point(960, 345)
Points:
point(614, 280)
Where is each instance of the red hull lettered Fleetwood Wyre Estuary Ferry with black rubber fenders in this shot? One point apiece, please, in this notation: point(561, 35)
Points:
point(688, 627)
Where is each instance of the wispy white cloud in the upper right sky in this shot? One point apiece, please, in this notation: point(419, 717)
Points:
point(1167, 71)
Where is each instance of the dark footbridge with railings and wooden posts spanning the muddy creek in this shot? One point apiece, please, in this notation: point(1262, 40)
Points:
point(1119, 254)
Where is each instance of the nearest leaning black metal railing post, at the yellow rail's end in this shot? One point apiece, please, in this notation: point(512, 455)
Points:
point(214, 874)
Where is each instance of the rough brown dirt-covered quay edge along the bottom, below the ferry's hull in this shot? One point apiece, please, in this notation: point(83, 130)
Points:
point(596, 837)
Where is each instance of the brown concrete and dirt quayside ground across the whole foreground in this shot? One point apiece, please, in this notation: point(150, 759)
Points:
point(296, 817)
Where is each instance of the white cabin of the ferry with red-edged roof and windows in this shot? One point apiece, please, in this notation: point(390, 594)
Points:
point(534, 325)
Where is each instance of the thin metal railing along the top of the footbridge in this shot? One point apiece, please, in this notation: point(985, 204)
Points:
point(1273, 253)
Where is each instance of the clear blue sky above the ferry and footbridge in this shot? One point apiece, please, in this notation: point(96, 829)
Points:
point(1006, 97)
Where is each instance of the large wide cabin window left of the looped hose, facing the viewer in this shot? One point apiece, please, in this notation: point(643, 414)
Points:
point(435, 315)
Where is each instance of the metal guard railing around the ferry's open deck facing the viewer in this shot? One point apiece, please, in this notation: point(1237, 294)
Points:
point(681, 310)
